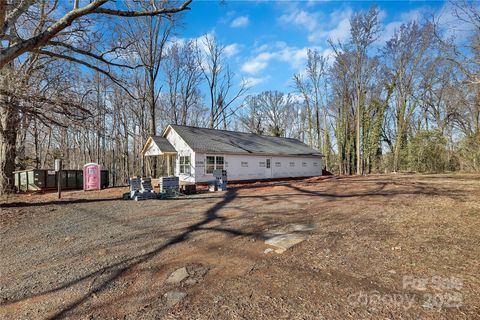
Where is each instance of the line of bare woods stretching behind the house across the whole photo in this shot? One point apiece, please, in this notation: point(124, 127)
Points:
point(95, 83)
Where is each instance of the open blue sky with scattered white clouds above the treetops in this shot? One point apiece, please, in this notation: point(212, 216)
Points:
point(266, 41)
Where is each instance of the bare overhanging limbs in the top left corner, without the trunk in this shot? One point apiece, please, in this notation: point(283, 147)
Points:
point(49, 26)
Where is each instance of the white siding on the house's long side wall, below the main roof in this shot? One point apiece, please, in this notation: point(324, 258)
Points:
point(238, 171)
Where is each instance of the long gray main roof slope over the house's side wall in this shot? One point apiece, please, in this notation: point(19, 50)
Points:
point(223, 141)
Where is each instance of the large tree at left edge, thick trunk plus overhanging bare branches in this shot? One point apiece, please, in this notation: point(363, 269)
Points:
point(42, 28)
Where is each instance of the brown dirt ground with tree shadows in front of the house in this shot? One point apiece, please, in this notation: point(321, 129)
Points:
point(383, 247)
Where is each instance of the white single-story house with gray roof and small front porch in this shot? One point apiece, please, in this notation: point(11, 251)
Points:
point(193, 153)
